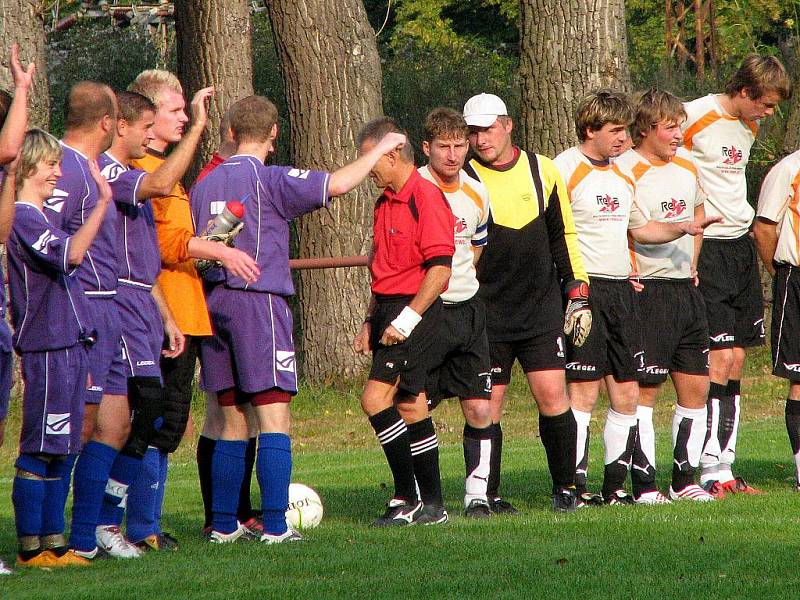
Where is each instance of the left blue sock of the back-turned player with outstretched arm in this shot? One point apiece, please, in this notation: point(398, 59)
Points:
point(227, 472)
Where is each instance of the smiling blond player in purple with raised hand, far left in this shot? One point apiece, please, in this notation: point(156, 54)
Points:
point(52, 329)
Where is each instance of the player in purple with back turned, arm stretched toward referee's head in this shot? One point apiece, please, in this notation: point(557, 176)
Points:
point(251, 357)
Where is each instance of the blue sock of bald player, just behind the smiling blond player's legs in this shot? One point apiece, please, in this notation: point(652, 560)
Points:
point(92, 471)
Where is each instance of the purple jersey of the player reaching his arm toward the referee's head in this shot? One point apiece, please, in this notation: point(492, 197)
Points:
point(272, 197)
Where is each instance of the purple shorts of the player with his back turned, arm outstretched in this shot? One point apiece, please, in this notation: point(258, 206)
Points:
point(252, 348)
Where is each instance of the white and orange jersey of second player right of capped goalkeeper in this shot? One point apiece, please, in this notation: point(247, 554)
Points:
point(669, 191)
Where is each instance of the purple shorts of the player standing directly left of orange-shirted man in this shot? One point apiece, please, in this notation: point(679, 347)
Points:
point(142, 331)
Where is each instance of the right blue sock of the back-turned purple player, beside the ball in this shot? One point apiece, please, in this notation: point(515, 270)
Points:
point(274, 471)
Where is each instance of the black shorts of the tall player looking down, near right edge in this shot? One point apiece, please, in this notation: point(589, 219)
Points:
point(731, 287)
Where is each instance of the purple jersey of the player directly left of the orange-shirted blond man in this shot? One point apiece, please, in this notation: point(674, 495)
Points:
point(137, 244)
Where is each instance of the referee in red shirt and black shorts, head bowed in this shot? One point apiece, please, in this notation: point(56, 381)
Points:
point(412, 249)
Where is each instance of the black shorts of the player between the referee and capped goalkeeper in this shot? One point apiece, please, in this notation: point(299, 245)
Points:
point(461, 352)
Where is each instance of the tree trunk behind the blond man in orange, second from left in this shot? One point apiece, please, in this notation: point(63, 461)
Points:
point(214, 47)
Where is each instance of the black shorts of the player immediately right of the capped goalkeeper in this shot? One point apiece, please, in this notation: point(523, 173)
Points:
point(614, 346)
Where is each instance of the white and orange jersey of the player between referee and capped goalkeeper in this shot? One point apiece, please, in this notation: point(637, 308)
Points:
point(469, 202)
